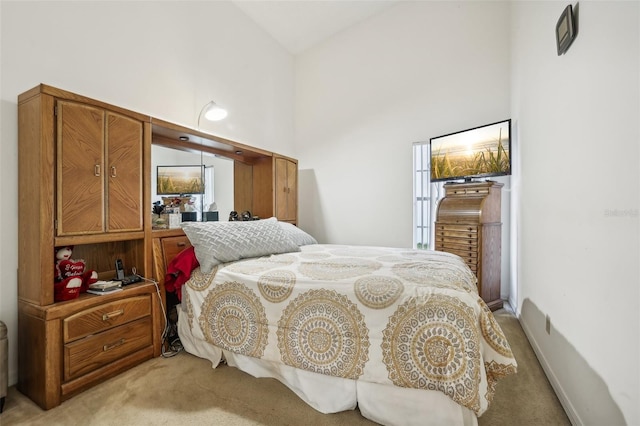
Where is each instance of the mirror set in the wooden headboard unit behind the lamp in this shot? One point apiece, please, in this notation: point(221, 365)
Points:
point(218, 181)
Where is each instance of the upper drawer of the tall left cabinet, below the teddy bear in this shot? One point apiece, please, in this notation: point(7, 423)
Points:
point(106, 316)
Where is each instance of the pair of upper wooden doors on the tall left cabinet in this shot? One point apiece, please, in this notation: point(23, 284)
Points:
point(99, 167)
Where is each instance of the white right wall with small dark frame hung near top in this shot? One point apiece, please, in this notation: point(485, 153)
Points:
point(578, 187)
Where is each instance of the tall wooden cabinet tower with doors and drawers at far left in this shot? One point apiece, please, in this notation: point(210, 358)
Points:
point(81, 182)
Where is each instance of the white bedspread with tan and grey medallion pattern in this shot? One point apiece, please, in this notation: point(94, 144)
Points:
point(409, 318)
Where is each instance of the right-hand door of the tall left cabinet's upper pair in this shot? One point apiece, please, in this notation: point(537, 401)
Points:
point(124, 173)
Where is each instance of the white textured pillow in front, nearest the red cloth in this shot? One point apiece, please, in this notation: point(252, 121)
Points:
point(221, 242)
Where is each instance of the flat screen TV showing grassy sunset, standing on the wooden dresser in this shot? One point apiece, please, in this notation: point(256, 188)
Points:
point(479, 152)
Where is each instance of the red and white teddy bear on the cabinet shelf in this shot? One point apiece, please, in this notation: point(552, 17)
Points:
point(71, 278)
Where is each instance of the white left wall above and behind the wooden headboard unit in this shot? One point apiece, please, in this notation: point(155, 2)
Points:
point(166, 59)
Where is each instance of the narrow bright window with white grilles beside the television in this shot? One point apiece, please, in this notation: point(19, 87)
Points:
point(421, 196)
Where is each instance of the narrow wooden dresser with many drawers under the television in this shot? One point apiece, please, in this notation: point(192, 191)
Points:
point(468, 224)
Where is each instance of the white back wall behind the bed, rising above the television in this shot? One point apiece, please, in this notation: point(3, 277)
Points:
point(415, 71)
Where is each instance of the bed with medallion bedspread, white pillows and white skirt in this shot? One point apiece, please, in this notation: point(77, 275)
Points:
point(402, 334)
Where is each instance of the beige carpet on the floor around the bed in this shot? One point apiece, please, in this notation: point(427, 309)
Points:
point(185, 390)
